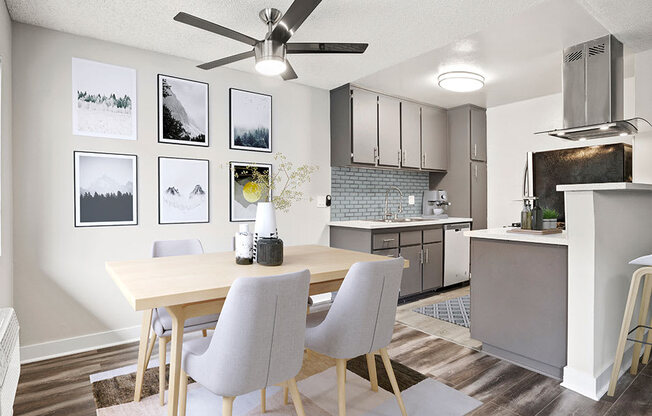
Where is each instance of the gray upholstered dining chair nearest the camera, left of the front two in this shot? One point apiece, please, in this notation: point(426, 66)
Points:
point(258, 341)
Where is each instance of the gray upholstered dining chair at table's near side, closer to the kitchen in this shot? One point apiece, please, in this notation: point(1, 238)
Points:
point(360, 321)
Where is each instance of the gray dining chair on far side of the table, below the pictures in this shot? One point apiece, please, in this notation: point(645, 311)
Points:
point(161, 319)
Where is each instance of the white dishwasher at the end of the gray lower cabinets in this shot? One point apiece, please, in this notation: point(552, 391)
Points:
point(457, 254)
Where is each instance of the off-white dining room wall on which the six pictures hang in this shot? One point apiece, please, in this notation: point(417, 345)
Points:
point(61, 288)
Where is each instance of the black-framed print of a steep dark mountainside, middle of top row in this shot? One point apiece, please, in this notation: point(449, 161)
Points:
point(182, 111)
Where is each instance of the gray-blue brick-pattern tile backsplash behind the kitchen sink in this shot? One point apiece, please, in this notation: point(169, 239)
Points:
point(359, 194)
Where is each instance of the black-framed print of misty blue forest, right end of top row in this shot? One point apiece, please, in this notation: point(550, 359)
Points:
point(250, 121)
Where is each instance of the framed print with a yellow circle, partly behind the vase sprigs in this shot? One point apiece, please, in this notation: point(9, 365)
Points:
point(244, 194)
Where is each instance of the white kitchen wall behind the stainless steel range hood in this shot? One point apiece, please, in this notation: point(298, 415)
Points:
point(510, 135)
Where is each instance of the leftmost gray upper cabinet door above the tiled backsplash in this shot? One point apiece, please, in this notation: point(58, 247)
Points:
point(364, 126)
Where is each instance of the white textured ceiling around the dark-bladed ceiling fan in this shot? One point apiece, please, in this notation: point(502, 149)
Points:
point(395, 30)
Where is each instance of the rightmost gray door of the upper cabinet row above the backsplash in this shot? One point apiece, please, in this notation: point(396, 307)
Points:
point(434, 139)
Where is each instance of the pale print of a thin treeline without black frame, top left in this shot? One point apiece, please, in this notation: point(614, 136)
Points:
point(103, 100)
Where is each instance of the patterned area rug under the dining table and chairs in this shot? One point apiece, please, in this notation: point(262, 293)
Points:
point(423, 396)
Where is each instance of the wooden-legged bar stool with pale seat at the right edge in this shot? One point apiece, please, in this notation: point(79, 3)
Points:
point(644, 273)
